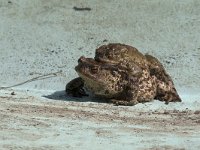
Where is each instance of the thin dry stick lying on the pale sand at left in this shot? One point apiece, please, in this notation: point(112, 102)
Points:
point(45, 76)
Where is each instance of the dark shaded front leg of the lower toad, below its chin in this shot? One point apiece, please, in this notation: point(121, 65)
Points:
point(75, 88)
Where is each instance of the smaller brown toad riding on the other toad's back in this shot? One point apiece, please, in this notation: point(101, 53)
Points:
point(126, 55)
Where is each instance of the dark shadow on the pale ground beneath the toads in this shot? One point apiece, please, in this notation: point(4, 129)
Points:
point(62, 95)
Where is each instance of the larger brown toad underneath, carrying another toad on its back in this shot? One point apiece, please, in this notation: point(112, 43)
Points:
point(111, 81)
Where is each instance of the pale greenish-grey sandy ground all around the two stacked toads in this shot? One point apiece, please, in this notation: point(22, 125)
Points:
point(47, 37)
